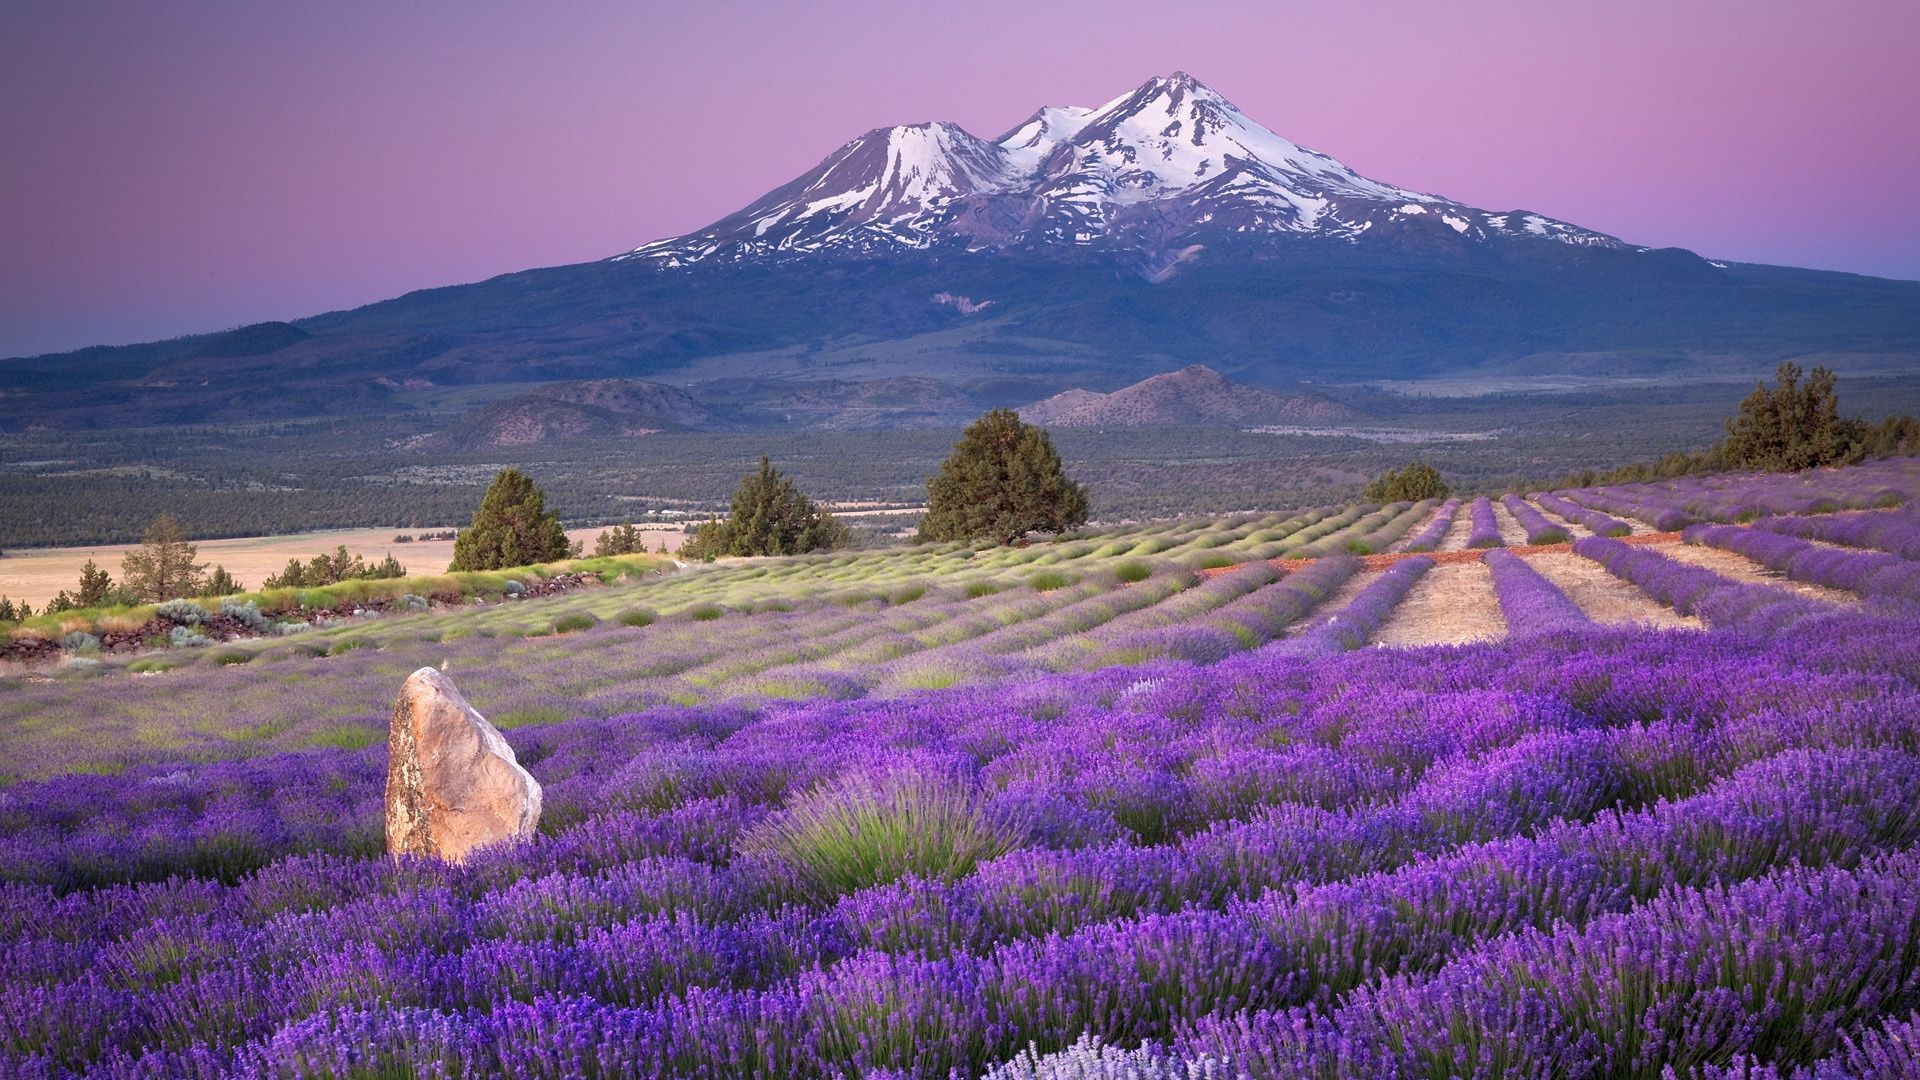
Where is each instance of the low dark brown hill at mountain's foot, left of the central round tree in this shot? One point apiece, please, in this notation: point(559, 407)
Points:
point(600, 408)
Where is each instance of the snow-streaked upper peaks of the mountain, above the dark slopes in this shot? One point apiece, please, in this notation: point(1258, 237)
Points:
point(1157, 176)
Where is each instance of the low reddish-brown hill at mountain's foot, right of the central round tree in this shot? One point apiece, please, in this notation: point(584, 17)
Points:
point(1191, 397)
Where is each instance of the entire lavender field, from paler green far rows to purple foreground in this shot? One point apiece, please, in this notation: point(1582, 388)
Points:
point(1136, 802)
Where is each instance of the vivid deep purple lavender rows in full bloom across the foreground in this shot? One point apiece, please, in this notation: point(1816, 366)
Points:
point(1337, 864)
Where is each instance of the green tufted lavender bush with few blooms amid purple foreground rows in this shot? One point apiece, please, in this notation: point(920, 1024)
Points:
point(876, 829)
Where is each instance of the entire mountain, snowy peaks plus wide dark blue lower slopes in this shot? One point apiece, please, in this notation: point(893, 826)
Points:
point(1088, 247)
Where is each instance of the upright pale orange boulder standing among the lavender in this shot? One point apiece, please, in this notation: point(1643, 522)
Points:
point(452, 781)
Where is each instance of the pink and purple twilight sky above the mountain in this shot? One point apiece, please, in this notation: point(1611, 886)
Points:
point(189, 166)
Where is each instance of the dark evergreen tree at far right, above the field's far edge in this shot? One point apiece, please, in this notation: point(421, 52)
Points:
point(1792, 428)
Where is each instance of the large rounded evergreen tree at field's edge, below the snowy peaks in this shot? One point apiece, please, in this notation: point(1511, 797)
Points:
point(1003, 481)
